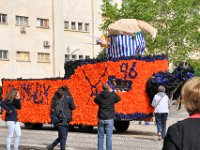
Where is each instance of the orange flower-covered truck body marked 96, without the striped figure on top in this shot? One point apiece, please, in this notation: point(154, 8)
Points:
point(84, 79)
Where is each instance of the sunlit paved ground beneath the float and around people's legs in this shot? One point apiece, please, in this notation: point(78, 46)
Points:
point(138, 137)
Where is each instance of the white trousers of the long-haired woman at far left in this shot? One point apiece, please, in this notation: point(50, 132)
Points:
point(13, 126)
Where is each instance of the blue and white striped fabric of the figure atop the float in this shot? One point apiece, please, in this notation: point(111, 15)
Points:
point(126, 45)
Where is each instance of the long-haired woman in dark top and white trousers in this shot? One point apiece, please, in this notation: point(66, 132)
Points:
point(11, 104)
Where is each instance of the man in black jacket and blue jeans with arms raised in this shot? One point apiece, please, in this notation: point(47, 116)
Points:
point(106, 113)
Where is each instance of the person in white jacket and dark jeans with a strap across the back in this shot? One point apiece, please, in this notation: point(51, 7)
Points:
point(161, 104)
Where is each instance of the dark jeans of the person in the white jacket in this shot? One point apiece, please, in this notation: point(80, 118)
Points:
point(161, 119)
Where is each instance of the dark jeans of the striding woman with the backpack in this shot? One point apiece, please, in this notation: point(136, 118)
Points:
point(62, 136)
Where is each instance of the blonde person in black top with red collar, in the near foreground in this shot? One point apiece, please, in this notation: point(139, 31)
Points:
point(184, 135)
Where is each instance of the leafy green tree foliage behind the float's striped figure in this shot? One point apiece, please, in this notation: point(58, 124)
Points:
point(177, 22)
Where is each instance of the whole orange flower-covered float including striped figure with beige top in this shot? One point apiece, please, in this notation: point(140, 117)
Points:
point(124, 62)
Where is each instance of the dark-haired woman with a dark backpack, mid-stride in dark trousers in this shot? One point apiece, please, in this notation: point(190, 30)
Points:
point(59, 120)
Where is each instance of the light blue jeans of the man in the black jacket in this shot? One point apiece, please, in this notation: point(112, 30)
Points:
point(107, 126)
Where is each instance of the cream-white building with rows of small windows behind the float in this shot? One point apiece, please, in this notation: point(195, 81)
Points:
point(38, 36)
